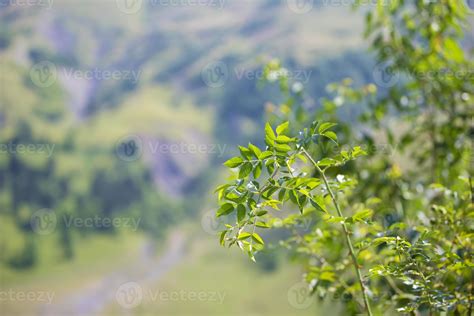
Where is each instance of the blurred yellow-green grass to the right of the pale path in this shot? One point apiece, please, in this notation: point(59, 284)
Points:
point(209, 268)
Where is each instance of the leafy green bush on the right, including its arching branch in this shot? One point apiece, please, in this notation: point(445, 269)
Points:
point(406, 214)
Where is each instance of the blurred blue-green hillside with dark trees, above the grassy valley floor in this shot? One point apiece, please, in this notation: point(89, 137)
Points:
point(139, 100)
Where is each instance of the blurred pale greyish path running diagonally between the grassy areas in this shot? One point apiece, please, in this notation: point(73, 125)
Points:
point(146, 270)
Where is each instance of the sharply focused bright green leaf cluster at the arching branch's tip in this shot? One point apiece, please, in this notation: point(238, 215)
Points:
point(265, 180)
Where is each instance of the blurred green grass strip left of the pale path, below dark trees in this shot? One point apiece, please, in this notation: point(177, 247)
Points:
point(95, 256)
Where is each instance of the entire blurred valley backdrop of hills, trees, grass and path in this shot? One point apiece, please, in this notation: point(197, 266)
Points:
point(115, 118)
